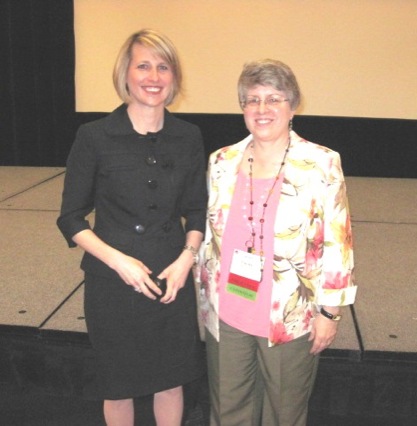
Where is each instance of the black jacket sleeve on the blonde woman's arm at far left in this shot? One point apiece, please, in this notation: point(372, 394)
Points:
point(78, 192)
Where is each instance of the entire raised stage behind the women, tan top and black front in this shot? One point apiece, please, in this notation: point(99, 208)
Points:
point(367, 377)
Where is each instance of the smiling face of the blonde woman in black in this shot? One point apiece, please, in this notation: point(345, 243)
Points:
point(149, 78)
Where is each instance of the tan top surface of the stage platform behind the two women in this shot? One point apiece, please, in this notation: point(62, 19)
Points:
point(41, 285)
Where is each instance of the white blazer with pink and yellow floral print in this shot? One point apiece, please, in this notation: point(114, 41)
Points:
point(313, 257)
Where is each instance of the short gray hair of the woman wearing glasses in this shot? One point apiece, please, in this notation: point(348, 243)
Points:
point(269, 72)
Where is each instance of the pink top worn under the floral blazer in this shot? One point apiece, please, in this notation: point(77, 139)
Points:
point(251, 317)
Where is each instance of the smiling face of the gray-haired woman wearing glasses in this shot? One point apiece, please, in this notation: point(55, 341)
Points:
point(267, 123)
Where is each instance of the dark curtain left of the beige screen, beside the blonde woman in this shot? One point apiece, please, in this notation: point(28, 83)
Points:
point(37, 94)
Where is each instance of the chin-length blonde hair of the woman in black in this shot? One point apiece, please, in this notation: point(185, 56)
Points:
point(160, 45)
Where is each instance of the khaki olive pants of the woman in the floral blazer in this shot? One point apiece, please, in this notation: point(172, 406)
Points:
point(254, 385)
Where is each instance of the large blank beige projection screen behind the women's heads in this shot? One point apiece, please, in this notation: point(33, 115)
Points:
point(351, 57)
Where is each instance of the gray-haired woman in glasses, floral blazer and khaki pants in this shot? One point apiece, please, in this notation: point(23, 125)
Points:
point(277, 260)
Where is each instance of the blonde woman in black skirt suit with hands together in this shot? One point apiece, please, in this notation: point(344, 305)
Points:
point(142, 171)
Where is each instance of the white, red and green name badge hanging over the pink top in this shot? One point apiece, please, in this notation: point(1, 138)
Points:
point(245, 275)
